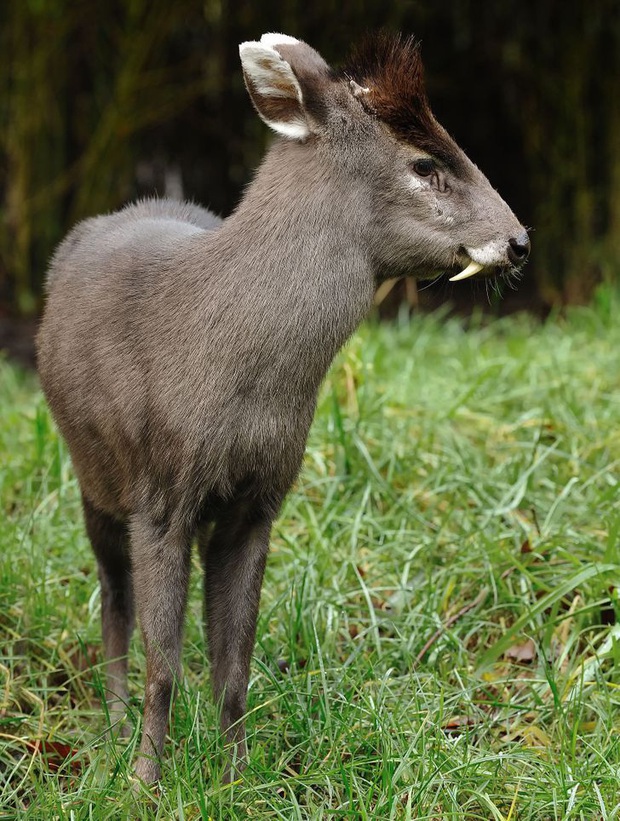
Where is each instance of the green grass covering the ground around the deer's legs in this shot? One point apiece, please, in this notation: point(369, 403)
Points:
point(460, 494)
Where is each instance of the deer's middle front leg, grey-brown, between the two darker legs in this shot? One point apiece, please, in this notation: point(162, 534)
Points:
point(161, 566)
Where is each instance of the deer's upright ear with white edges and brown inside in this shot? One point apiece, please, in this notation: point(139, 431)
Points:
point(273, 86)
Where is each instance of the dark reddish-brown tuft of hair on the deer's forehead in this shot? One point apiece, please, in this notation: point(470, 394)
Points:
point(390, 66)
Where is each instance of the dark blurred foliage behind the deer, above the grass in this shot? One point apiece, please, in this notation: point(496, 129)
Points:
point(103, 102)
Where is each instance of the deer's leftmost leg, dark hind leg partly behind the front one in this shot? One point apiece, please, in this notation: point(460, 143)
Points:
point(110, 542)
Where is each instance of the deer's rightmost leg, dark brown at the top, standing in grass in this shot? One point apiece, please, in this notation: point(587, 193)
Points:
point(236, 553)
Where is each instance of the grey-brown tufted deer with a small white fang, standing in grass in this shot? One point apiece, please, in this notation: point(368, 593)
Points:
point(182, 355)
